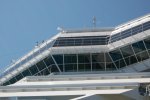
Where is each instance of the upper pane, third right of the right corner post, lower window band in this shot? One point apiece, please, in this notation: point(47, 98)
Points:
point(138, 47)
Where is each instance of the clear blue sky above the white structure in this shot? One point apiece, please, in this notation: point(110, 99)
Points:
point(24, 22)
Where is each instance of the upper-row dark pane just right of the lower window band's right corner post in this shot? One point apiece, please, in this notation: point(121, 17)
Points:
point(116, 55)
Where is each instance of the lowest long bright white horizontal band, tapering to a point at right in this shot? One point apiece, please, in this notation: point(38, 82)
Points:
point(63, 93)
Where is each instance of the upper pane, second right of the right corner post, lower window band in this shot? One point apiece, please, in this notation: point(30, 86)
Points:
point(127, 51)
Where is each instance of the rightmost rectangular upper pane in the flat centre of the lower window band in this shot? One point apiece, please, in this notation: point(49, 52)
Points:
point(99, 57)
